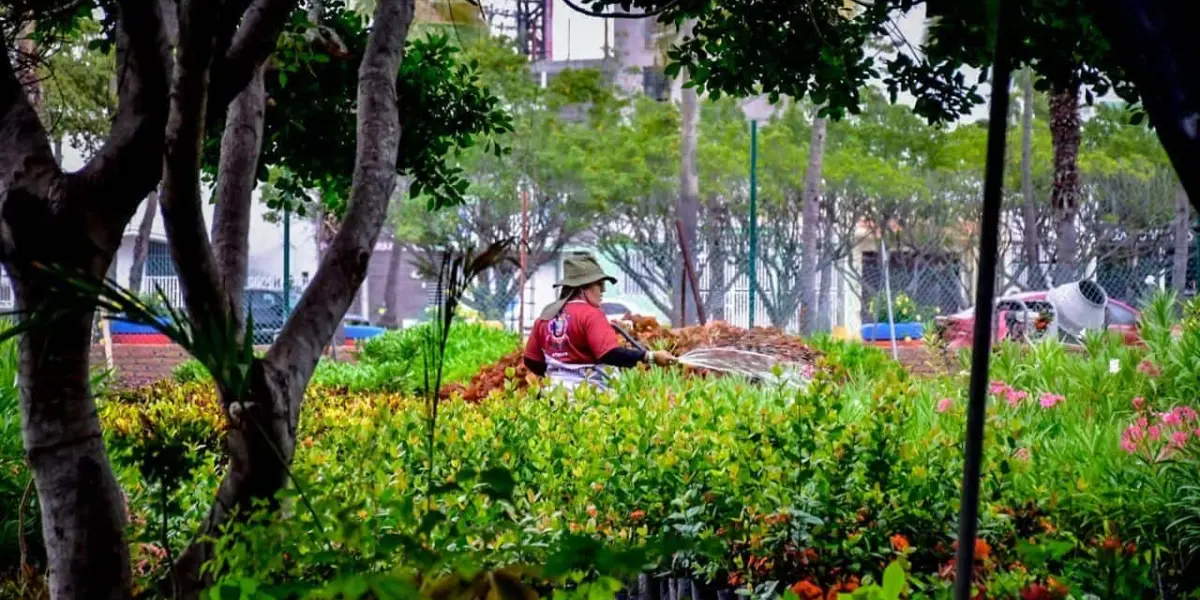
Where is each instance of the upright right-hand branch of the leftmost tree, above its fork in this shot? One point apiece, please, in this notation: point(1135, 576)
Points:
point(118, 172)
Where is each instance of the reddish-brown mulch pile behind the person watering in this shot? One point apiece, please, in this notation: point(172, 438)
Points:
point(649, 331)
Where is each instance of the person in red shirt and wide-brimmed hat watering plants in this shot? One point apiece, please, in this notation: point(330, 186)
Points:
point(573, 340)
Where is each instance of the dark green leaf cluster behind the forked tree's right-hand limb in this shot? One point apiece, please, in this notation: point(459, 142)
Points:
point(311, 121)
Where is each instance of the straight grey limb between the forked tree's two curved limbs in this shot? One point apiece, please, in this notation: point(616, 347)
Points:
point(241, 147)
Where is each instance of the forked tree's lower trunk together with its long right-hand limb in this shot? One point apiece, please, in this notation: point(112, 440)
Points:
point(262, 437)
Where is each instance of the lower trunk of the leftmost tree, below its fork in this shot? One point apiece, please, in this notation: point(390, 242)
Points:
point(82, 506)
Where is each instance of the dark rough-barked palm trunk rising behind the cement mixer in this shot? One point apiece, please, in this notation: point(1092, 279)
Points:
point(1065, 196)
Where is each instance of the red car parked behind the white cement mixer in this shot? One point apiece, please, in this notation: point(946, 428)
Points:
point(959, 328)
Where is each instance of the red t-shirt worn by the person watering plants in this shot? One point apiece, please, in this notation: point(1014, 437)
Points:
point(580, 335)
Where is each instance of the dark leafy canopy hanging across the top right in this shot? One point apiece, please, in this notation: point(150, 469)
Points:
point(832, 50)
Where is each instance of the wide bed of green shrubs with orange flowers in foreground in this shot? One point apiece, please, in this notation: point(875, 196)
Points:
point(824, 487)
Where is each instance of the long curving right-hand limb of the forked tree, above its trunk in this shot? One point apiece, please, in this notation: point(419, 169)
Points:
point(345, 266)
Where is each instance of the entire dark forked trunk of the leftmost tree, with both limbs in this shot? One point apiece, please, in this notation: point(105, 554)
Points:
point(83, 512)
